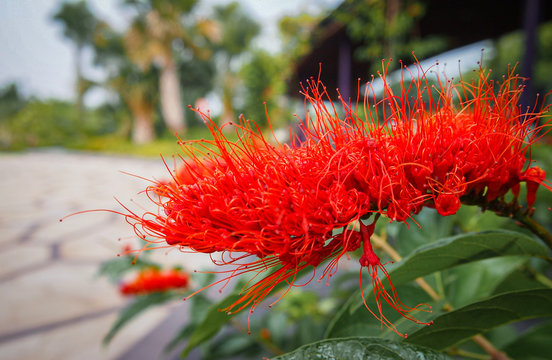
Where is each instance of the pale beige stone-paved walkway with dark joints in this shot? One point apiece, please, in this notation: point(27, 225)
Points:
point(53, 304)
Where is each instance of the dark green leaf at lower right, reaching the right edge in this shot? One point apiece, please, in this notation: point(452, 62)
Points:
point(461, 324)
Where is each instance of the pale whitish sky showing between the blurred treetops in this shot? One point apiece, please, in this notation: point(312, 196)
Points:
point(34, 53)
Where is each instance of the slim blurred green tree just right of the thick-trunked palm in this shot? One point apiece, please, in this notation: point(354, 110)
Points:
point(238, 30)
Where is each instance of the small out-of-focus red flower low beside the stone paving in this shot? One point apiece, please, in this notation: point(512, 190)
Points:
point(153, 280)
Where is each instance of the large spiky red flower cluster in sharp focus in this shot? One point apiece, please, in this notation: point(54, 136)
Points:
point(293, 207)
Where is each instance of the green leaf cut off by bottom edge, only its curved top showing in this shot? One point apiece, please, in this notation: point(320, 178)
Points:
point(365, 348)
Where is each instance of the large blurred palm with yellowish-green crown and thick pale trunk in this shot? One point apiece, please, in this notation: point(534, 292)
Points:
point(151, 40)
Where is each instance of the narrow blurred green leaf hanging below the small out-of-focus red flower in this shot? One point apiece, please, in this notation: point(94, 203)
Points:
point(138, 305)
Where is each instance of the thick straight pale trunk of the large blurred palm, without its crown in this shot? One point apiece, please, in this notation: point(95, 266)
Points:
point(171, 106)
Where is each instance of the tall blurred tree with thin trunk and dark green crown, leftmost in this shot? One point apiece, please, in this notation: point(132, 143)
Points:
point(79, 24)
